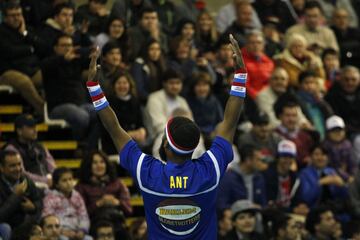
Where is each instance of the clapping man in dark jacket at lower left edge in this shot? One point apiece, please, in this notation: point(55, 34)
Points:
point(20, 200)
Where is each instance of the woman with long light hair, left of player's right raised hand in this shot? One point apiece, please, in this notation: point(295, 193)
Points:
point(206, 35)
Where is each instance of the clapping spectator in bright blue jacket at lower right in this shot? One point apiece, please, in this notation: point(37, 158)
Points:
point(319, 183)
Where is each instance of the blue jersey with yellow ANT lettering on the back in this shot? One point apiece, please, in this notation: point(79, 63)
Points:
point(179, 199)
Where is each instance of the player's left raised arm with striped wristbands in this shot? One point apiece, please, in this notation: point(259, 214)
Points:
point(105, 112)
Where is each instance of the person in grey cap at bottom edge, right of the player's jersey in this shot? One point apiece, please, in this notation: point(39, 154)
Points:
point(244, 221)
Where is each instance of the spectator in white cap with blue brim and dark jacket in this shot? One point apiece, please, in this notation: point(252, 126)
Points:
point(280, 181)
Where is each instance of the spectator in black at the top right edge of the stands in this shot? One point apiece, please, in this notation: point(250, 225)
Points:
point(347, 36)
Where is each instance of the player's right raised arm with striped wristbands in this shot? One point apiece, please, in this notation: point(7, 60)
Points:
point(227, 127)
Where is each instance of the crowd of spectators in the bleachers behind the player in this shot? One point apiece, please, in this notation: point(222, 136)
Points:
point(297, 149)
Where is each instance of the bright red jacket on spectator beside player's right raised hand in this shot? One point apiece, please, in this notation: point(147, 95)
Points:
point(259, 70)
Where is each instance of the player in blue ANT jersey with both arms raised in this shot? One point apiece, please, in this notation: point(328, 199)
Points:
point(179, 193)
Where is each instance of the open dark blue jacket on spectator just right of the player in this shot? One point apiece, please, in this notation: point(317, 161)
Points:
point(232, 188)
